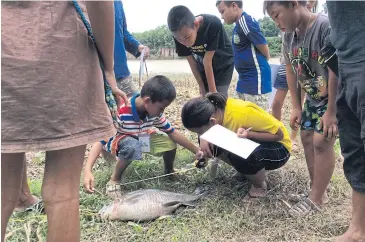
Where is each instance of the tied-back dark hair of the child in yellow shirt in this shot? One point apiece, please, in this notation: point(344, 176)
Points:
point(197, 111)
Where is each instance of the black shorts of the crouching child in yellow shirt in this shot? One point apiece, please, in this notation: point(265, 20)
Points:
point(268, 156)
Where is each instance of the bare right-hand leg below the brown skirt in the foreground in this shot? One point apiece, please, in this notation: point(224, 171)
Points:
point(60, 193)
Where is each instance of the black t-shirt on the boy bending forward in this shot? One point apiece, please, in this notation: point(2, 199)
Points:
point(211, 36)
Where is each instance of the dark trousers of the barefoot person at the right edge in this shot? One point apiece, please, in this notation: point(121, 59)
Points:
point(351, 122)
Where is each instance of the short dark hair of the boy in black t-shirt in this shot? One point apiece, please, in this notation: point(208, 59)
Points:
point(180, 16)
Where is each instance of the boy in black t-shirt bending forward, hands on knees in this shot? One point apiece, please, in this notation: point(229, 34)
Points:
point(205, 44)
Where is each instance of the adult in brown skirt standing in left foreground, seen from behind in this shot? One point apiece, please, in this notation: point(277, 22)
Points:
point(53, 100)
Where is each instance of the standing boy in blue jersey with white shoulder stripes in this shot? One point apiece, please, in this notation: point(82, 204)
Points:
point(251, 54)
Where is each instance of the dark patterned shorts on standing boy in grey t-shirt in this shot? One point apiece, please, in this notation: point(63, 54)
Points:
point(311, 117)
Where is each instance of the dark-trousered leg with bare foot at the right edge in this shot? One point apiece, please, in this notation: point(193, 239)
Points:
point(351, 122)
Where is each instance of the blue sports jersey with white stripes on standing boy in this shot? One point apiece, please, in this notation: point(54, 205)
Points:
point(254, 73)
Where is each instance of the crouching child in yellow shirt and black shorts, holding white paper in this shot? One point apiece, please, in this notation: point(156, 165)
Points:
point(200, 114)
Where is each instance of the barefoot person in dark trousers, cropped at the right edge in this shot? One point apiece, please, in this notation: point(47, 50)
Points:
point(348, 33)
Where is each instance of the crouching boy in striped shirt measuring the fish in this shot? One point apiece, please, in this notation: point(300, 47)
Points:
point(144, 129)
